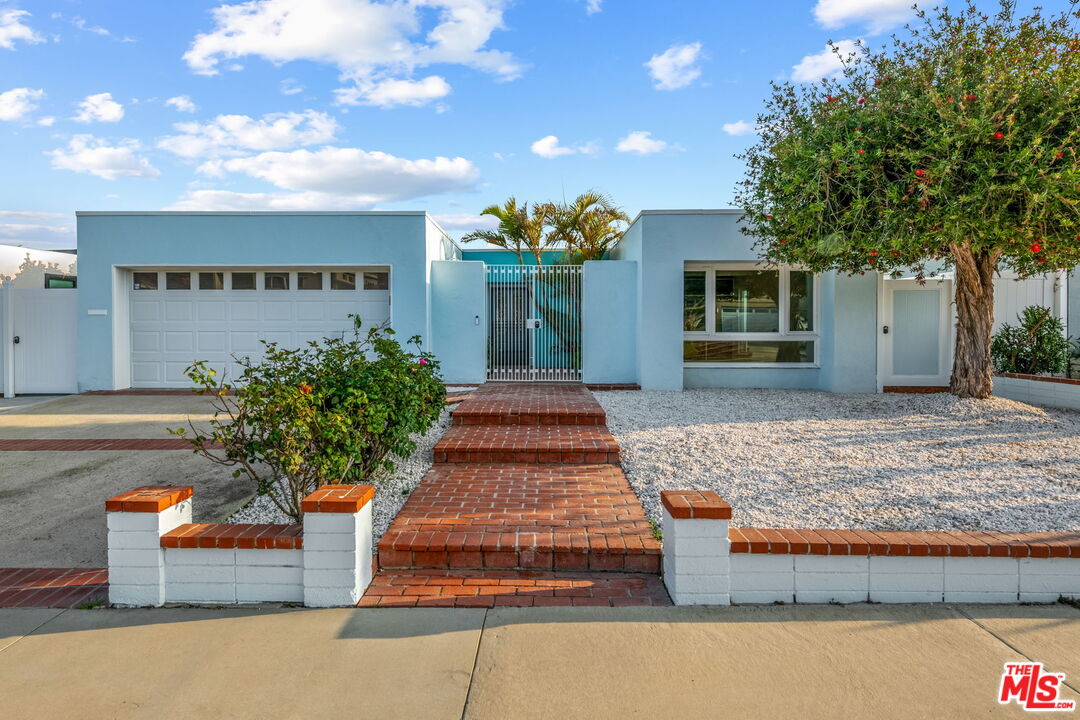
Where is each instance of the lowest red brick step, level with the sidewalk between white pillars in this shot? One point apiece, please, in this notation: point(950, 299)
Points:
point(494, 589)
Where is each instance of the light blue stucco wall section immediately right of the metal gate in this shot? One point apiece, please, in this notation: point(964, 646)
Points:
point(610, 322)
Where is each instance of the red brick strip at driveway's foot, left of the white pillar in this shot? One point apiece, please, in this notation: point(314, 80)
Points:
point(52, 588)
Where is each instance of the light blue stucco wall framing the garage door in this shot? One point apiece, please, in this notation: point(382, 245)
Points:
point(109, 241)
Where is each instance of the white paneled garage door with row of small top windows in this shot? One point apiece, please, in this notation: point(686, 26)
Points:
point(179, 317)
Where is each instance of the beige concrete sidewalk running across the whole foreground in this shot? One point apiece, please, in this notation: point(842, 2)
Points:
point(746, 662)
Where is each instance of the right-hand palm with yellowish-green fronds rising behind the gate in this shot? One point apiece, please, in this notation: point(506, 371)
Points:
point(589, 227)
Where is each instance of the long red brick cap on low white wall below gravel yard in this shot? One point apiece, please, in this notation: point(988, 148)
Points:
point(952, 544)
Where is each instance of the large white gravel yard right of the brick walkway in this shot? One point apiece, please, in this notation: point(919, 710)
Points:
point(800, 459)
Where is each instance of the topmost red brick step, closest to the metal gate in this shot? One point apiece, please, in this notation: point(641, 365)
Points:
point(530, 404)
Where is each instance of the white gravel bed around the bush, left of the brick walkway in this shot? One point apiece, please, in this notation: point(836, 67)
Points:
point(391, 491)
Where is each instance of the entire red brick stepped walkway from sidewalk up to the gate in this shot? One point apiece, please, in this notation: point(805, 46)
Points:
point(526, 488)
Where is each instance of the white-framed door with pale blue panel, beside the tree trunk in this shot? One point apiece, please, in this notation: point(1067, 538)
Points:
point(916, 333)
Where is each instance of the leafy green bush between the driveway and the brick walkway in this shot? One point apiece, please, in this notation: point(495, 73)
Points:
point(333, 412)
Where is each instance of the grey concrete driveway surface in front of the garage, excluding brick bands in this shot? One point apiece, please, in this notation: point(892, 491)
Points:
point(52, 502)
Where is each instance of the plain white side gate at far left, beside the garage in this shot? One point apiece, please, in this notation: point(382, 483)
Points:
point(45, 325)
